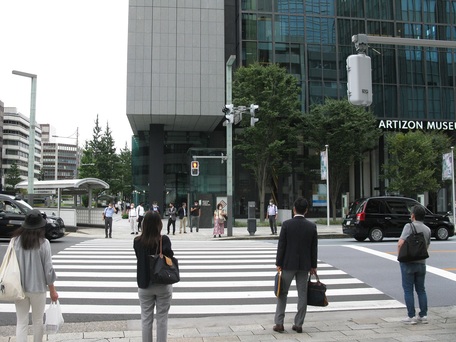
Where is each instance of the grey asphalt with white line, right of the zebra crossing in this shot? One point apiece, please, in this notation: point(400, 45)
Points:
point(376, 265)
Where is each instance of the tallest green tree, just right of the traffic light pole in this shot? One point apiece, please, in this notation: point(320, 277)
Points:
point(267, 147)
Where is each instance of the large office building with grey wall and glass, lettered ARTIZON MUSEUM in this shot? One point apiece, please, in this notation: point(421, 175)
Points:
point(312, 40)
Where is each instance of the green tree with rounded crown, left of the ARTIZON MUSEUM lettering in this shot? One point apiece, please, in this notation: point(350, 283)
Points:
point(349, 131)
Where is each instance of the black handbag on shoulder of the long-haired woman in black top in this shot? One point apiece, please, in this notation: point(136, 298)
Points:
point(163, 269)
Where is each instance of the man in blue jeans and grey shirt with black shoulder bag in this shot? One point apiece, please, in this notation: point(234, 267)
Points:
point(414, 273)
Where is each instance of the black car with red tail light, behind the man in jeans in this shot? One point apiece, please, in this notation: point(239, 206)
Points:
point(385, 216)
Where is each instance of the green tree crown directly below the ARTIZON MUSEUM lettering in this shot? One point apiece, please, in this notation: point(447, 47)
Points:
point(415, 162)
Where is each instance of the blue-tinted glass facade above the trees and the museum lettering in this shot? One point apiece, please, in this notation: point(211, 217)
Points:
point(312, 39)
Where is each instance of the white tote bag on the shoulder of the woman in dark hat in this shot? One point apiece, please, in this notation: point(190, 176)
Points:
point(10, 276)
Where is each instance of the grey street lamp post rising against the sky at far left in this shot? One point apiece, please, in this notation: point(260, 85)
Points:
point(31, 157)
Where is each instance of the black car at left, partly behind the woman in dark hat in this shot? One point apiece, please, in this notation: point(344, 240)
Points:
point(12, 215)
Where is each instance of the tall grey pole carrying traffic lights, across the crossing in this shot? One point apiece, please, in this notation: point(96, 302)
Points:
point(229, 147)
